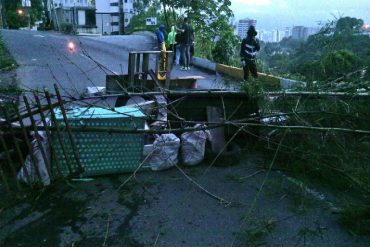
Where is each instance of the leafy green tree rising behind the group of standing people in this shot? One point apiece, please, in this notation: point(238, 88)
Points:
point(214, 38)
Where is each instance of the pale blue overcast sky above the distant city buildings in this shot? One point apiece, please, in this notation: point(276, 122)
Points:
point(271, 14)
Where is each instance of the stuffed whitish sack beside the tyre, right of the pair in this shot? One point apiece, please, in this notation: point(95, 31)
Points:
point(193, 146)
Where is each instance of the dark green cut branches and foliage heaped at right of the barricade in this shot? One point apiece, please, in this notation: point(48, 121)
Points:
point(336, 161)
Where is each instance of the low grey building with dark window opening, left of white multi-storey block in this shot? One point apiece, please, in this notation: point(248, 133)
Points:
point(77, 16)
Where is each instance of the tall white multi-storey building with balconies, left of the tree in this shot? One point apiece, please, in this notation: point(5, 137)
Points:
point(112, 16)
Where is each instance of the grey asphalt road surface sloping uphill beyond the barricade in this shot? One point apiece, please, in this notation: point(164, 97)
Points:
point(44, 59)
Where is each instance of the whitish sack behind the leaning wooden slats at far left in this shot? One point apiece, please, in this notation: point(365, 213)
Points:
point(40, 163)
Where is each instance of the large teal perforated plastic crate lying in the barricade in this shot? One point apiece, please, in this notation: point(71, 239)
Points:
point(101, 152)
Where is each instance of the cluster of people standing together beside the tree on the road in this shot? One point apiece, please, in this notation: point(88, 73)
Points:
point(180, 40)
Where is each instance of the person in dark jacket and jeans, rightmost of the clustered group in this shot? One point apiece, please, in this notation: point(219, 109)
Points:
point(185, 43)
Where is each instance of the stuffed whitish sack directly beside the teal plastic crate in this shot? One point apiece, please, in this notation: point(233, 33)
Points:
point(164, 153)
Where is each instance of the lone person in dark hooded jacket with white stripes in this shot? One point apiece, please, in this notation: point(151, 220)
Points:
point(248, 50)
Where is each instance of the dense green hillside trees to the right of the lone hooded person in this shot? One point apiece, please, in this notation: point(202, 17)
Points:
point(337, 50)
